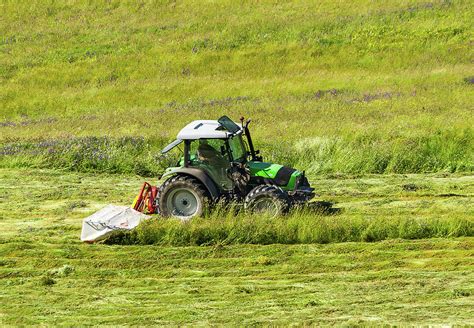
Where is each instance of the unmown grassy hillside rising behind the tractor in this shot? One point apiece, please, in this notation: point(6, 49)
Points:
point(366, 76)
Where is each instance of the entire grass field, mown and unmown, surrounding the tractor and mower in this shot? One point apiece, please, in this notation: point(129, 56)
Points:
point(374, 99)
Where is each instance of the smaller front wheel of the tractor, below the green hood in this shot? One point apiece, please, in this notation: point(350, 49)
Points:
point(267, 199)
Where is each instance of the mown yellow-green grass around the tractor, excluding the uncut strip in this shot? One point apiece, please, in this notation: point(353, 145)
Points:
point(49, 277)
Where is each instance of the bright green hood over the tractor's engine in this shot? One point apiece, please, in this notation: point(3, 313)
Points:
point(282, 176)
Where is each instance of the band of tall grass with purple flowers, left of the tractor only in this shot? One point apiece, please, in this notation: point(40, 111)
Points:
point(88, 154)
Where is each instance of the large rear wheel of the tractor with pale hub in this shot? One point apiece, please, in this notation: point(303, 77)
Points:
point(183, 197)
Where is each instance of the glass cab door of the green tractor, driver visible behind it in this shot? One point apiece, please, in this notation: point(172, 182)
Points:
point(211, 156)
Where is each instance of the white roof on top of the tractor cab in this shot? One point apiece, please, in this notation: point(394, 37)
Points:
point(203, 129)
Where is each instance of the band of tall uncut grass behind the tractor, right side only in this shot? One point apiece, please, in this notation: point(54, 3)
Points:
point(451, 151)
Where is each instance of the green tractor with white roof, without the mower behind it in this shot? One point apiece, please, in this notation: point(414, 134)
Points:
point(219, 164)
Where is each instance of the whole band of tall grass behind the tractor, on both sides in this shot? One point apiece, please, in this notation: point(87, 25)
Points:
point(450, 151)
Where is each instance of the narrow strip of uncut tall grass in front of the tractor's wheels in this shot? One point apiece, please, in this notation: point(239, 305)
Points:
point(298, 228)
